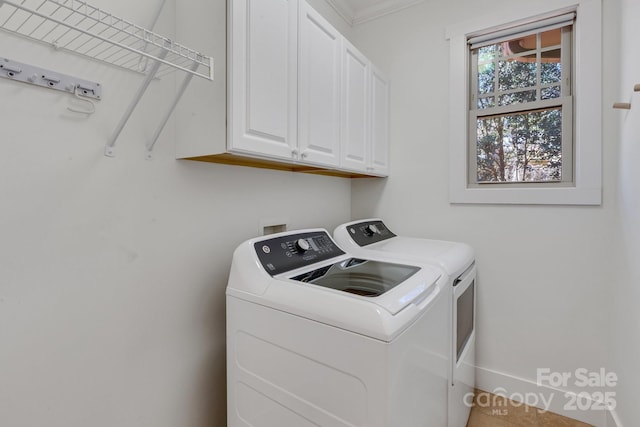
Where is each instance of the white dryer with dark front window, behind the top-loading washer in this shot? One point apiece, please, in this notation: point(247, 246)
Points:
point(371, 236)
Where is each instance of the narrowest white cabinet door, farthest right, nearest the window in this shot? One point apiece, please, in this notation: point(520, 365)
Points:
point(379, 158)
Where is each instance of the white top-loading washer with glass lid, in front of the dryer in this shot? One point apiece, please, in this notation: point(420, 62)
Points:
point(317, 337)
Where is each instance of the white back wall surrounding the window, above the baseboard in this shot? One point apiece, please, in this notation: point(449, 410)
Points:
point(545, 280)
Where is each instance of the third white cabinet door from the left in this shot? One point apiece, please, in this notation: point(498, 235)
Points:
point(355, 108)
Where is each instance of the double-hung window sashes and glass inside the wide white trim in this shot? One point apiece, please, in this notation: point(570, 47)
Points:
point(520, 107)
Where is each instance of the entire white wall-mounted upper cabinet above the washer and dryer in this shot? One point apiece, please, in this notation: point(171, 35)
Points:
point(296, 95)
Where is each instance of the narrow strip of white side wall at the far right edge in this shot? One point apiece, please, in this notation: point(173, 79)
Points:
point(625, 313)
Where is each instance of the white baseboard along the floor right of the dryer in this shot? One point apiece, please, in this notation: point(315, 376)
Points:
point(544, 397)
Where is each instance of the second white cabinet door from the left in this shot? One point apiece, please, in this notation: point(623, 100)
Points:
point(319, 89)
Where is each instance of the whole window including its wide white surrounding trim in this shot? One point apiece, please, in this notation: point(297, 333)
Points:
point(526, 125)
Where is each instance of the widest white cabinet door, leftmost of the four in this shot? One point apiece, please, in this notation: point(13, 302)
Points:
point(263, 68)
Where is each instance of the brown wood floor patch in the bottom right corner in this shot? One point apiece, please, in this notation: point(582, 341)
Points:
point(490, 410)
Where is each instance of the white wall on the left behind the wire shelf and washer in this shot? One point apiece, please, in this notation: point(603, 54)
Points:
point(113, 270)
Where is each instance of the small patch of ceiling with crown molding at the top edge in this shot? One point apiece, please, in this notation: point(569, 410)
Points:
point(358, 11)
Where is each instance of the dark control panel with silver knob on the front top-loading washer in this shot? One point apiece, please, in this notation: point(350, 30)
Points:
point(296, 250)
